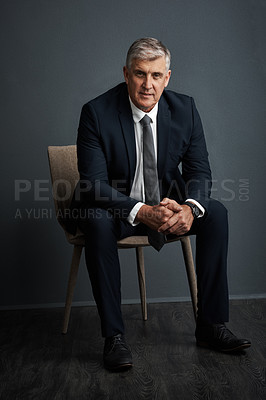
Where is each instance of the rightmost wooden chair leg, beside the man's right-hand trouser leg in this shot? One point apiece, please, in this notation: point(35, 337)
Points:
point(191, 274)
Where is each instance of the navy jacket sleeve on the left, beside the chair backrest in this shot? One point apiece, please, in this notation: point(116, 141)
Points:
point(95, 188)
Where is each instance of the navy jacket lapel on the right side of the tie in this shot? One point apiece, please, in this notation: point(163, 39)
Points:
point(163, 135)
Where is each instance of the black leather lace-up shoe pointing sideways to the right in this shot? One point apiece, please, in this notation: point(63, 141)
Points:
point(220, 338)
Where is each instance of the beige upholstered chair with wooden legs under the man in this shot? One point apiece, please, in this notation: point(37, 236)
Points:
point(64, 174)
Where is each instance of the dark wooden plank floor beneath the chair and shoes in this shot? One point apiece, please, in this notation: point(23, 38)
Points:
point(37, 362)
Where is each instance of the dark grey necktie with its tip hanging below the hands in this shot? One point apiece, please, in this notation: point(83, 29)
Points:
point(151, 183)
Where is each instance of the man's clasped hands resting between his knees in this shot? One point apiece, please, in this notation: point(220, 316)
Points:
point(167, 217)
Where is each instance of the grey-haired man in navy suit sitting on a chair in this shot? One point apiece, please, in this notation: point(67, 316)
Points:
point(131, 143)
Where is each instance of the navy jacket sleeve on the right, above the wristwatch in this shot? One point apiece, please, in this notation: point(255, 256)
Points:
point(195, 164)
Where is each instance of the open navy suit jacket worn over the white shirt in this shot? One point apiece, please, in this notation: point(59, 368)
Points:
point(106, 152)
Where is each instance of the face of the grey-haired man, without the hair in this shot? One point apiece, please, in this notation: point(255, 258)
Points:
point(146, 81)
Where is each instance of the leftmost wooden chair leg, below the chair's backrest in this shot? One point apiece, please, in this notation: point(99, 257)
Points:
point(72, 279)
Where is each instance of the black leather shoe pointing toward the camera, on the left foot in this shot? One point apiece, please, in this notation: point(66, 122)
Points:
point(117, 354)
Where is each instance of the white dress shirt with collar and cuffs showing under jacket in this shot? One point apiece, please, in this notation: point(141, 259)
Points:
point(137, 189)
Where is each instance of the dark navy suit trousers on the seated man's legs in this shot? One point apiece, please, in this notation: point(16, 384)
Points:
point(102, 230)
